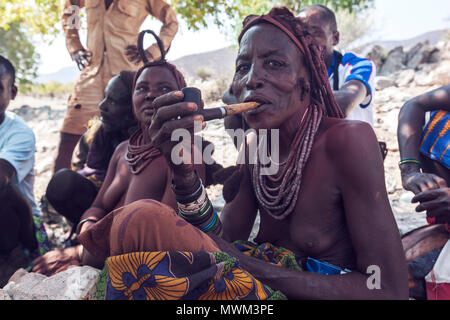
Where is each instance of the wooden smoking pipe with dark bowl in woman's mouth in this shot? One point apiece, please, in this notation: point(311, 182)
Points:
point(194, 95)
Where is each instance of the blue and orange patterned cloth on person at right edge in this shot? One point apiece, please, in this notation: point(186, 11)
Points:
point(436, 138)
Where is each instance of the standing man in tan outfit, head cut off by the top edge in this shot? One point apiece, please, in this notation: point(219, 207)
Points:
point(112, 30)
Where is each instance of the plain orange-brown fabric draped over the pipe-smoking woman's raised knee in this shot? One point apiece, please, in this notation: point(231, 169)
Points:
point(144, 225)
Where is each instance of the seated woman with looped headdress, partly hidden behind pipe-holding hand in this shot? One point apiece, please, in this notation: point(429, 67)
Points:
point(136, 170)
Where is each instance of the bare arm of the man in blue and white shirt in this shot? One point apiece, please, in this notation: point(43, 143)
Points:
point(351, 95)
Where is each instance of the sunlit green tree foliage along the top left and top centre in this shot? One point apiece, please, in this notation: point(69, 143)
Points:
point(43, 17)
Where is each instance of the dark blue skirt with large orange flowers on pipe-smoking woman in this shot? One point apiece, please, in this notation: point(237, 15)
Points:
point(174, 275)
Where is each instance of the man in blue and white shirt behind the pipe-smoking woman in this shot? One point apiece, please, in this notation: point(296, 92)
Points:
point(351, 77)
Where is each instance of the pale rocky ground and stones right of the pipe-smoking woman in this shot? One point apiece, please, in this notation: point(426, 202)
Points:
point(404, 74)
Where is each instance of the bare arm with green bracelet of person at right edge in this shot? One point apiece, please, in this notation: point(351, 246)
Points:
point(409, 134)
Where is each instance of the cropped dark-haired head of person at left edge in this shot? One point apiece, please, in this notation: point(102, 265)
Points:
point(8, 90)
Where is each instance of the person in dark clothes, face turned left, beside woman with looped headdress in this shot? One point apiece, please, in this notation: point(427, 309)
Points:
point(72, 193)
